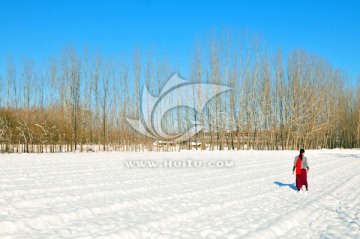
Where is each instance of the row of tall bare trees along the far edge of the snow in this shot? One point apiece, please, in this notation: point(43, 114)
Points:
point(79, 101)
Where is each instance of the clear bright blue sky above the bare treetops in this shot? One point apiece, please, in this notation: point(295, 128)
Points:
point(38, 29)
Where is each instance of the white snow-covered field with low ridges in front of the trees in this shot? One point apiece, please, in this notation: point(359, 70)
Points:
point(97, 195)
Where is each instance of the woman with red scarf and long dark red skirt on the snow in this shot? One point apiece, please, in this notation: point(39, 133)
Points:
point(302, 167)
